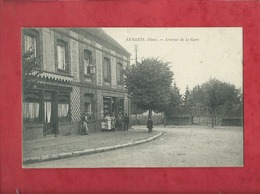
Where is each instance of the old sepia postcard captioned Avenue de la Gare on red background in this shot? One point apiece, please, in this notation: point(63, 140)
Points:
point(132, 97)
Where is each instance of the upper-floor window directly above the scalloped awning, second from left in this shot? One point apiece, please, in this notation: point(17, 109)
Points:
point(62, 57)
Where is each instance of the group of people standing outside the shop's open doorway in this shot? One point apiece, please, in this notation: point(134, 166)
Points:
point(112, 123)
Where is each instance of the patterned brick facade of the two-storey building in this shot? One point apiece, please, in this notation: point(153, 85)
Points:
point(80, 71)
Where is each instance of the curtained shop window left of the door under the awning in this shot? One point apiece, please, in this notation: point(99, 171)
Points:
point(31, 107)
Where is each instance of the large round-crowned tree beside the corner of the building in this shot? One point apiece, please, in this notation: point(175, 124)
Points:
point(148, 84)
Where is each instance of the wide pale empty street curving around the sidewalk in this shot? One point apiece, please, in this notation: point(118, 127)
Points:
point(183, 146)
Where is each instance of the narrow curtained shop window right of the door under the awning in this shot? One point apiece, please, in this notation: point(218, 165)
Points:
point(63, 107)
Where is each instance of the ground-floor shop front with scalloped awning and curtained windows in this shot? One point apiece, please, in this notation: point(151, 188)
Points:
point(46, 106)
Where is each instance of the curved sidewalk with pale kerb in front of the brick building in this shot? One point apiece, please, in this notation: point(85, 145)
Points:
point(52, 148)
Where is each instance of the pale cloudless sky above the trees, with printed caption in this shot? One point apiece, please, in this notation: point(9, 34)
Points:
point(195, 54)
